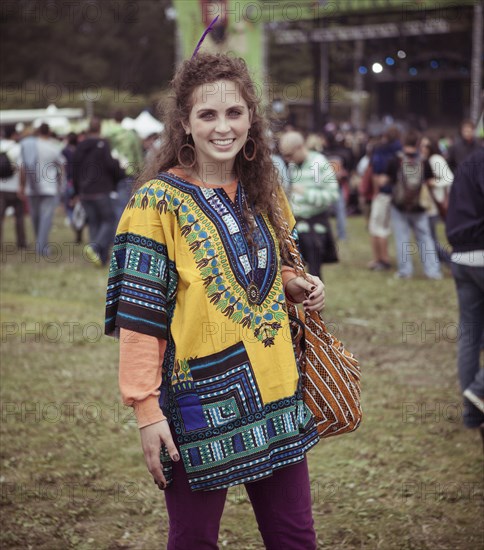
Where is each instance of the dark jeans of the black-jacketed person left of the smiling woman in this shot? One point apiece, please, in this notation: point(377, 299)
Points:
point(101, 221)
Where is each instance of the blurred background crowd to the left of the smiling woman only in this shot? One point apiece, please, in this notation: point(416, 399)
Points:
point(90, 173)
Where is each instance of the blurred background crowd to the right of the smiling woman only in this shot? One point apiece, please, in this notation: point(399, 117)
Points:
point(400, 180)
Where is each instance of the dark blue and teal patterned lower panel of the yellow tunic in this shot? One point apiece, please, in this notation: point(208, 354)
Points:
point(226, 434)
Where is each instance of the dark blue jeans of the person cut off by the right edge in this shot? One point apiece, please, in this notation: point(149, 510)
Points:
point(469, 282)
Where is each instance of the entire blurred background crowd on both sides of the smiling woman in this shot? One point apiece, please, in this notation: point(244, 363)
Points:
point(327, 177)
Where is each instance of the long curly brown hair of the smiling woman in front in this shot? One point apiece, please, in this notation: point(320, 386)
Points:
point(259, 177)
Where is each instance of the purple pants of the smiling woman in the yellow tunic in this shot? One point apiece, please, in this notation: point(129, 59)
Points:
point(281, 503)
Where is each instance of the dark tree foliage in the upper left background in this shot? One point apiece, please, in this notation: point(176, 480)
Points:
point(120, 44)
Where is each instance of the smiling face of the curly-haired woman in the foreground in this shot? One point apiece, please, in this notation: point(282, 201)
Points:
point(219, 123)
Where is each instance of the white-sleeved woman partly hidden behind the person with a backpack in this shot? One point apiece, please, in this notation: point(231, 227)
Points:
point(443, 178)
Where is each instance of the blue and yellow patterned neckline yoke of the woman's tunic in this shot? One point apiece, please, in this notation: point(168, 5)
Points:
point(213, 228)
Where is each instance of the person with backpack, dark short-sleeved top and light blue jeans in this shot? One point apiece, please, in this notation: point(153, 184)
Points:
point(407, 175)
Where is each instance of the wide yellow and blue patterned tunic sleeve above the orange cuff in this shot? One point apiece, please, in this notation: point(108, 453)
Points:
point(142, 276)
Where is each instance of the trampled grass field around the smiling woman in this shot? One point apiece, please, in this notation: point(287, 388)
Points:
point(72, 470)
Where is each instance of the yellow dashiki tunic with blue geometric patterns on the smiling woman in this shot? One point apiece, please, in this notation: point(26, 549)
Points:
point(179, 270)
